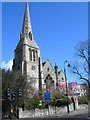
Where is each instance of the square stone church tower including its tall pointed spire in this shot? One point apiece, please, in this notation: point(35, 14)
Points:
point(27, 52)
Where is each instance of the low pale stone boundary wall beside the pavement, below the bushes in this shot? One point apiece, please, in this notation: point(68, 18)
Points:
point(44, 112)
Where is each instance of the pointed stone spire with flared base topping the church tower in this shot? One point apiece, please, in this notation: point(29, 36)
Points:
point(26, 30)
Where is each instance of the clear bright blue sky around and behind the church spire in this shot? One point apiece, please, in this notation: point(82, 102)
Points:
point(57, 29)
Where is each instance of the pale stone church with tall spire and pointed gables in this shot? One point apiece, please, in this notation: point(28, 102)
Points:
point(27, 58)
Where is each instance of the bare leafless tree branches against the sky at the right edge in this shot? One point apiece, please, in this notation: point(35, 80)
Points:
point(80, 66)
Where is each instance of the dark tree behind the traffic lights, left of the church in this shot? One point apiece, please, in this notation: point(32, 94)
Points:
point(15, 80)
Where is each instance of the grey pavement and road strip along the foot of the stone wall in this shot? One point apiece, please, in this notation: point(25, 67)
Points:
point(75, 115)
